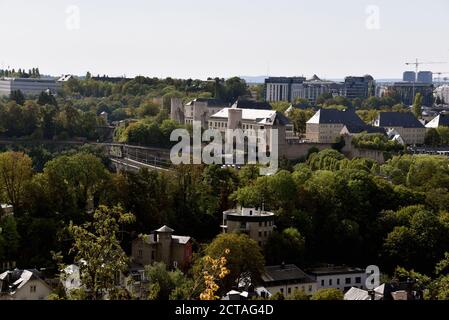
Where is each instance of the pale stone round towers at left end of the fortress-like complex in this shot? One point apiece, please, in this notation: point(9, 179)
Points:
point(196, 110)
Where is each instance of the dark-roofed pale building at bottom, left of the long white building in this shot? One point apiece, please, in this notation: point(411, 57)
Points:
point(287, 278)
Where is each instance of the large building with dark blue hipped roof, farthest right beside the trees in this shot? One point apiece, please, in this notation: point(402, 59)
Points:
point(411, 130)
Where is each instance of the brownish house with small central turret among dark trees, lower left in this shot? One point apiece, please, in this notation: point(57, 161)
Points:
point(162, 246)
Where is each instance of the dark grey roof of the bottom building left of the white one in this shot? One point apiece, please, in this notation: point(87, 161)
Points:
point(284, 273)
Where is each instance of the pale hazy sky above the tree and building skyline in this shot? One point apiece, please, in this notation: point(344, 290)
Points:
point(201, 38)
